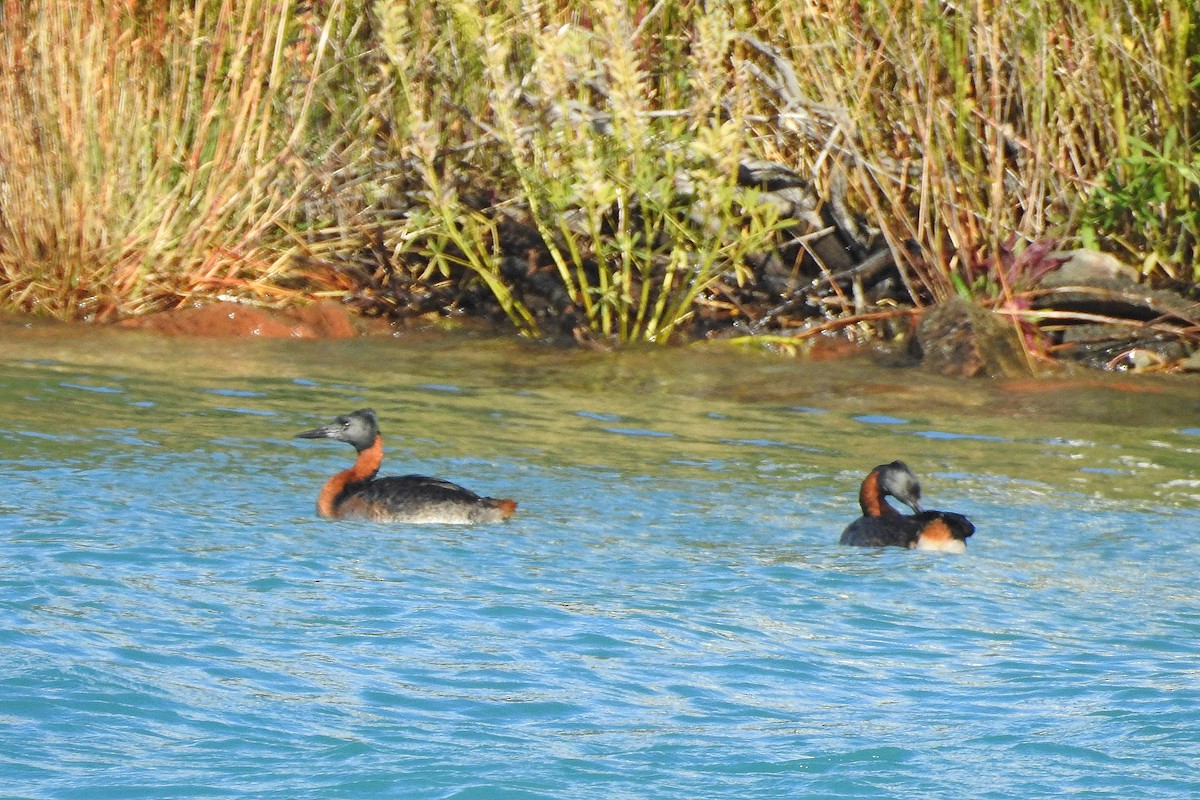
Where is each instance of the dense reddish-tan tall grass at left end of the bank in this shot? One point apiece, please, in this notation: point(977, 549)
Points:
point(148, 152)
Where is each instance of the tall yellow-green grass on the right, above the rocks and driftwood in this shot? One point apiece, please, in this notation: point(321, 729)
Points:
point(970, 128)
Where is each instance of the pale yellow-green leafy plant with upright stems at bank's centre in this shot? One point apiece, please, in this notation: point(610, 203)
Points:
point(639, 213)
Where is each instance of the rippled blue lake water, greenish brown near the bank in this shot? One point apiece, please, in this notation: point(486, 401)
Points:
point(668, 617)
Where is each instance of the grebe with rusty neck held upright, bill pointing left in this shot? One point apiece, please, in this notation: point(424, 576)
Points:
point(358, 494)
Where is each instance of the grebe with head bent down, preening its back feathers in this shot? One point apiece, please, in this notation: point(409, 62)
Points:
point(881, 526)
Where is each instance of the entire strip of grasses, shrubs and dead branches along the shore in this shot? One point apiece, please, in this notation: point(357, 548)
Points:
point(614, 173)
